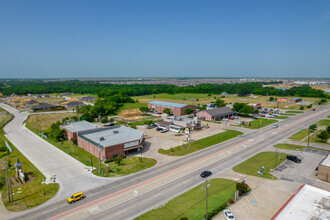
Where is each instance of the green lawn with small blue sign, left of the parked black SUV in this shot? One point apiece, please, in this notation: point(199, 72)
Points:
point(252, 165)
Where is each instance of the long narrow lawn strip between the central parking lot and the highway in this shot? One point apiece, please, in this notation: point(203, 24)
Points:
point(201, 143)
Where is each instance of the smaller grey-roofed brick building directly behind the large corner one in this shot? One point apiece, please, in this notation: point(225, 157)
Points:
point(73, 128)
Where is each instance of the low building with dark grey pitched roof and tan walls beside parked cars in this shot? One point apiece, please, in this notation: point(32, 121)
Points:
point(216, 114)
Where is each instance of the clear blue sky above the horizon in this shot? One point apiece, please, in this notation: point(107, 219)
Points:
point(163, 38)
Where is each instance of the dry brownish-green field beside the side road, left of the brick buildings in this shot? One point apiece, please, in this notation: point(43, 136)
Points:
point(42, 122)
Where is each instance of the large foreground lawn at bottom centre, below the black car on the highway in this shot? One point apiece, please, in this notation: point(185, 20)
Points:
point(191, 204)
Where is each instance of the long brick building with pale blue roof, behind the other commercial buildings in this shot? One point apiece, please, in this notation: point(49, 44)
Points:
point(176, 108)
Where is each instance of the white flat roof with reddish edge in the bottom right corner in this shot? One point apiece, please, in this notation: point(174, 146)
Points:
point(308, 202)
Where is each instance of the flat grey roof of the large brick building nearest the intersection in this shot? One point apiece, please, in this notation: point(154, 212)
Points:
point(111, 136)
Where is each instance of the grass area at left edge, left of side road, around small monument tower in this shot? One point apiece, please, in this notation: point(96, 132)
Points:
point(30, 194)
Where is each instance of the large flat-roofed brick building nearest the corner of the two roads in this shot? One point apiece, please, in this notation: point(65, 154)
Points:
point(115, 140)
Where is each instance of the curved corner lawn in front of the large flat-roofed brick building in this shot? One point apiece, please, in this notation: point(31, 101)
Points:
point(128, 166)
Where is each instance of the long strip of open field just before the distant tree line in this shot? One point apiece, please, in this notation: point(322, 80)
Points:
point(194, 99)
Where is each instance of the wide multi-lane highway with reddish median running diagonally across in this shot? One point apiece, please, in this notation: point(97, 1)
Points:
point(130, 196)
